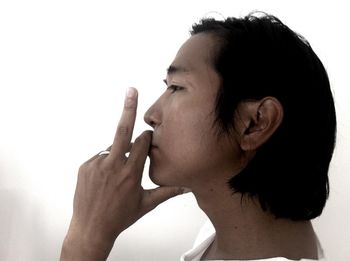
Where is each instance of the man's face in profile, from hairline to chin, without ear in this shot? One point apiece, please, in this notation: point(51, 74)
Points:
point(186, 150)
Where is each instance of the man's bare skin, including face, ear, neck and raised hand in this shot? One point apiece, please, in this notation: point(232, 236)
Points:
point(185, 151)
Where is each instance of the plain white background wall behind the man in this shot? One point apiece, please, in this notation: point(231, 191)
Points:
point(64, 68)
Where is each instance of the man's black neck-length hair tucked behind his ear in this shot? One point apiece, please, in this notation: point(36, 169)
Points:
point(259, 56)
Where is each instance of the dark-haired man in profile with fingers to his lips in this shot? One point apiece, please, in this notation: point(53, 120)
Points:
point(247, 123)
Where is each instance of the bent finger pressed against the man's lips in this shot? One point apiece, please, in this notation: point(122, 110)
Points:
point(139, 152)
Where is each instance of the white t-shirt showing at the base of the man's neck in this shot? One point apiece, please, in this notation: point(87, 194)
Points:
point(206, 237)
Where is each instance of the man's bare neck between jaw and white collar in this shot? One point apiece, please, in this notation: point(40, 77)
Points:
point(245, 231)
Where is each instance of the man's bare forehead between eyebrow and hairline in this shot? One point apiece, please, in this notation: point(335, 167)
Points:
point(196, 53)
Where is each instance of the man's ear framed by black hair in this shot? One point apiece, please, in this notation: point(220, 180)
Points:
point(256, 121)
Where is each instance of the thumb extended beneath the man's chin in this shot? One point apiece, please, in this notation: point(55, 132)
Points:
point(153, 197)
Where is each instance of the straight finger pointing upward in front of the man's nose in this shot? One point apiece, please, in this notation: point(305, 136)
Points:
point(125, 127)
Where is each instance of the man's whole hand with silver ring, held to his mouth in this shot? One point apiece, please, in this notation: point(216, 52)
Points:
point(109, 196)
